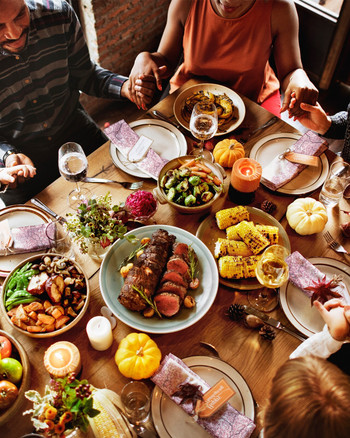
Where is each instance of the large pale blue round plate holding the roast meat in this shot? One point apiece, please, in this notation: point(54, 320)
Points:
point(111, 283)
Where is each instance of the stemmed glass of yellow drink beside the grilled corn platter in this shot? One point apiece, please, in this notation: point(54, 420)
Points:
point(272, 272)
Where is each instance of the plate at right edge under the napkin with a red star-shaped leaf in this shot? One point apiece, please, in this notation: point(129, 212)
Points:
point(297, 305)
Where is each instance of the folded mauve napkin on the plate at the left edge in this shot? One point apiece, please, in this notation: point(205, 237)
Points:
point(31, 238)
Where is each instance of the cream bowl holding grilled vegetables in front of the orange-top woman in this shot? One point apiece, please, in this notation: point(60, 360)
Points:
point(239, 107)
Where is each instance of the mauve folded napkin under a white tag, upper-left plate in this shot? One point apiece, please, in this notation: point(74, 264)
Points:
point(124, 139)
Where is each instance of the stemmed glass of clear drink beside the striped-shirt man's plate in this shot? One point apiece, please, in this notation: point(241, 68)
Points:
point(72, 164)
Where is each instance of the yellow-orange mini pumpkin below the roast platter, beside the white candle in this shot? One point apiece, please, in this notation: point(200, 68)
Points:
point(138, 356)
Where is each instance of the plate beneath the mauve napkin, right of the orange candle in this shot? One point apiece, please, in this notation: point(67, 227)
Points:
point(308, 180)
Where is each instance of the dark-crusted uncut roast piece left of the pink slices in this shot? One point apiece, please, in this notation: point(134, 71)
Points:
point(147, 270)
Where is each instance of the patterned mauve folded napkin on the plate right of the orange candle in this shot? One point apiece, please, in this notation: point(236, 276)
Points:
point(280, 171)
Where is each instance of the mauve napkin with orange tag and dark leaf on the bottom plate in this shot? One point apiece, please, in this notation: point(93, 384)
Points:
point(227, 422)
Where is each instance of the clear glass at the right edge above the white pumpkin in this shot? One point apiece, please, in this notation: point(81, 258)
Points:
point(333, 187)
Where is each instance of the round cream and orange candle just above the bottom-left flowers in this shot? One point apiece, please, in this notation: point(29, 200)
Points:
point(62, 358)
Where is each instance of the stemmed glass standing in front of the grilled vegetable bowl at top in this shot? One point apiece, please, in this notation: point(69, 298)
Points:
point(203, 125)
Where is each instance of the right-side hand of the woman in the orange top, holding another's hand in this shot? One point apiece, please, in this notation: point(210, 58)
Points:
point(300, 89)
